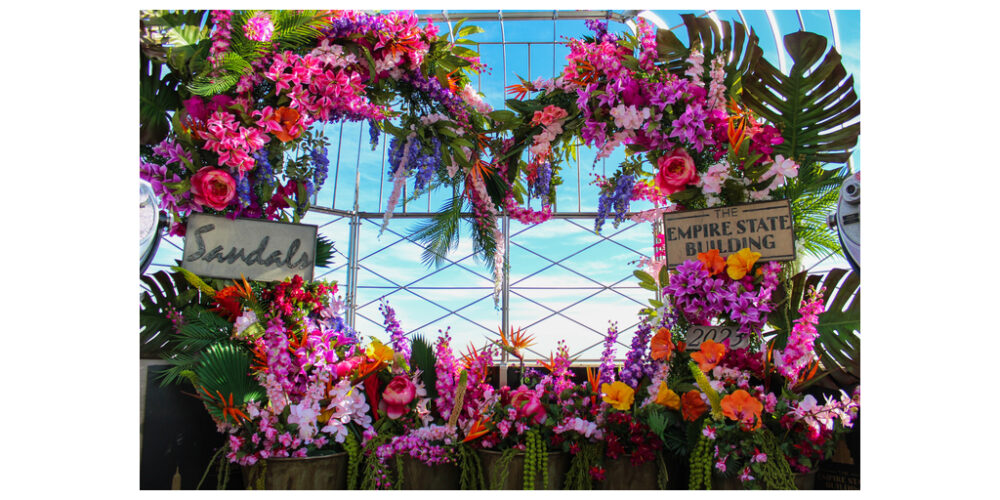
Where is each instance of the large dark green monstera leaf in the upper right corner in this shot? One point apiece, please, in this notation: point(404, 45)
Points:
point(812, 105)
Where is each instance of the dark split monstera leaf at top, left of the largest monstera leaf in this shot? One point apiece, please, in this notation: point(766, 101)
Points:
point(740, 48)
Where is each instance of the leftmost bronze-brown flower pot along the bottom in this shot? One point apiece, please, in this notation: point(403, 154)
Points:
point(328, 472)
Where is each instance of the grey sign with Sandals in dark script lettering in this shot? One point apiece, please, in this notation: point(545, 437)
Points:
point(220, 247)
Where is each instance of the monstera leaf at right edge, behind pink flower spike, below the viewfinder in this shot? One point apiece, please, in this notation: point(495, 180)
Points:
point(839, 344)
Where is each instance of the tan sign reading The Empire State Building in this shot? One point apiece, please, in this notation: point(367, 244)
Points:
point(765, 228)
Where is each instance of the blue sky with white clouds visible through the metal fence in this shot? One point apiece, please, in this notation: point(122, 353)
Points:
point(539, 292)
